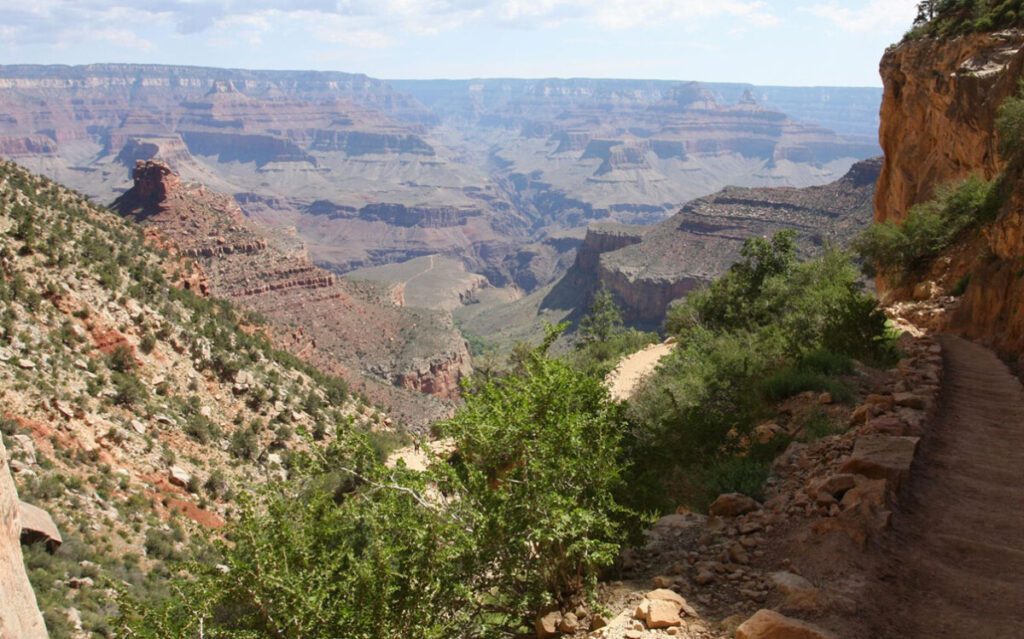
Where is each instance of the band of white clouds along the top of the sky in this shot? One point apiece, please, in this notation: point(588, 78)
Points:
point(351, 23)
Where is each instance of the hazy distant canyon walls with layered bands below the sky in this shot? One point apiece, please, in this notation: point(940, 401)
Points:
point(489, 173)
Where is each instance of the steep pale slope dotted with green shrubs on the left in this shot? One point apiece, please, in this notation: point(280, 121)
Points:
point(135, 411)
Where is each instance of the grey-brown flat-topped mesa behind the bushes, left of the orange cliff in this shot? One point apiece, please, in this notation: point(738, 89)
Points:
point(700, 243)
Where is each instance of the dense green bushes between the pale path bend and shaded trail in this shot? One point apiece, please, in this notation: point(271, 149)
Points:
point(773, 327)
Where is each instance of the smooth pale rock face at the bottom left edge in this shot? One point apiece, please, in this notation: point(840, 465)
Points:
point(20, 617)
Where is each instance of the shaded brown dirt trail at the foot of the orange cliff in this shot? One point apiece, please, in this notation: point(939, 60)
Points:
point(954, 564)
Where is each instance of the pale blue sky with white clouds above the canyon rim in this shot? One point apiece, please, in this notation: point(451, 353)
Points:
point(767, 42)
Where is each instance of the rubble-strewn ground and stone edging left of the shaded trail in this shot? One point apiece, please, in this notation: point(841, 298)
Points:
point(800, 564)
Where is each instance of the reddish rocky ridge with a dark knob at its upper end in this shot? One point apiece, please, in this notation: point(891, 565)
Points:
point(391, 354)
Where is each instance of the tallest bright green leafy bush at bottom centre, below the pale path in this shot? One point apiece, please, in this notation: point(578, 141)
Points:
point(540, 464)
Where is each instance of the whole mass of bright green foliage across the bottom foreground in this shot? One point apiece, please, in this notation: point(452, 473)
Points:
point(525, 517)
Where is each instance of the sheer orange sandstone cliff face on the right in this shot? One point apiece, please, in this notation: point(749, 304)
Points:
point(942, 101)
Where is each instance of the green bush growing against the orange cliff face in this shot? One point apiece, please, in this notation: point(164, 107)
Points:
point(929, 229)
